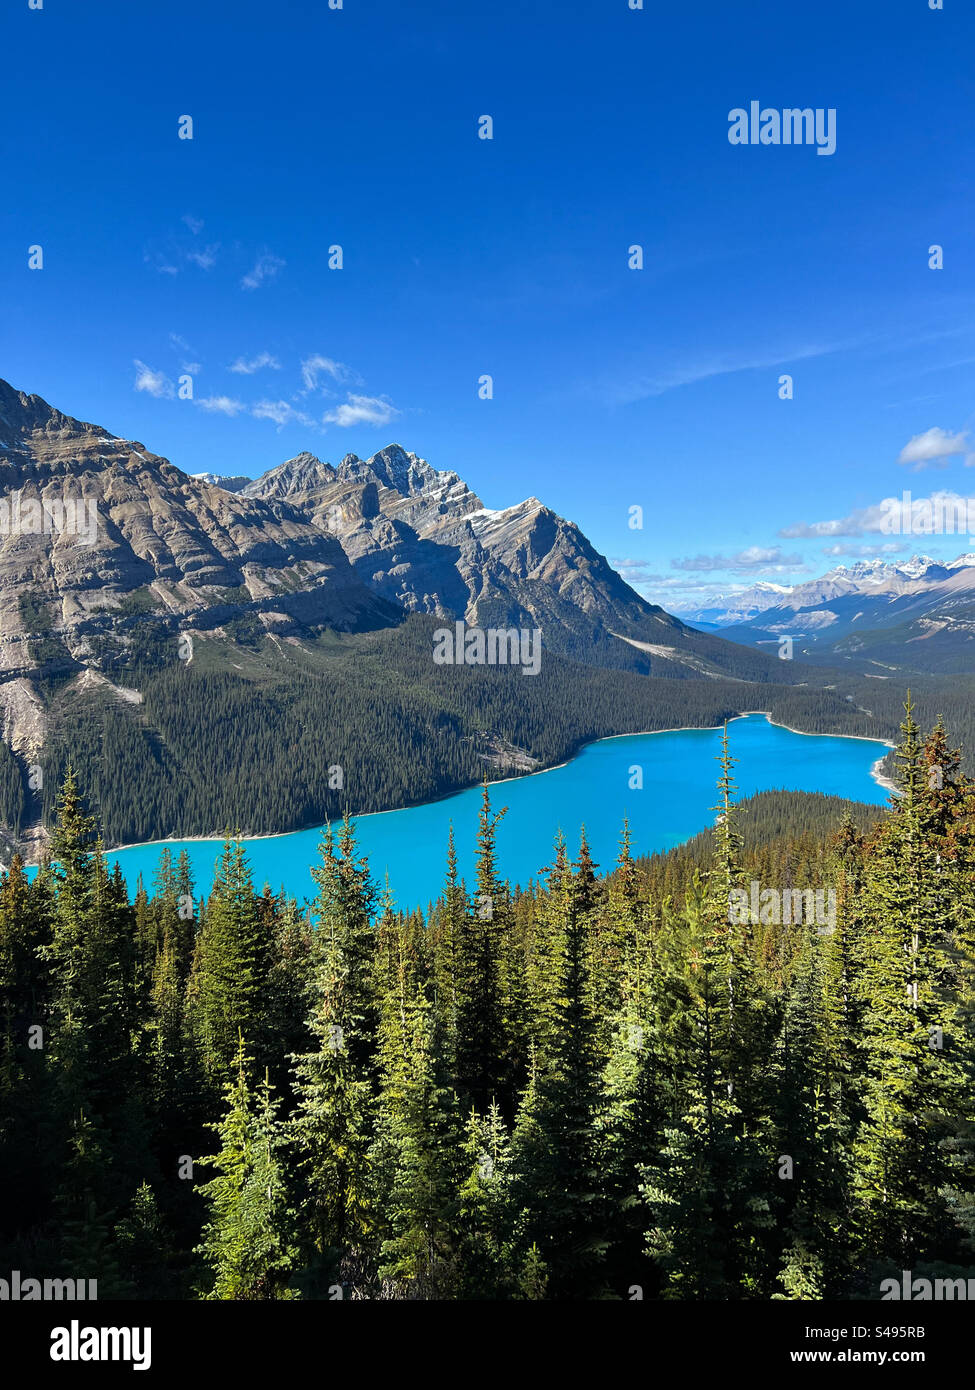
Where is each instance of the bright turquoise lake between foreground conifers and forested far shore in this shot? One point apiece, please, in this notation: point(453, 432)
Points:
point(679, 775)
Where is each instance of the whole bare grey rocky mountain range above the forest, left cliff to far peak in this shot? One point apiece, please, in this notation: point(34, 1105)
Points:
point(109, 550)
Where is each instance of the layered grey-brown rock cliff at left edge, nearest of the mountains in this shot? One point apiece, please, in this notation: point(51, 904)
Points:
point(97, 532)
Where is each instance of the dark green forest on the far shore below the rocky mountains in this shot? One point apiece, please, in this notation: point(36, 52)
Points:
point(258, 749)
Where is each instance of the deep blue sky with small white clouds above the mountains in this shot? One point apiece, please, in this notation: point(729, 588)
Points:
point(510, 256)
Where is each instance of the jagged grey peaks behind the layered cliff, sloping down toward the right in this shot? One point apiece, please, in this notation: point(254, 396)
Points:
point(424, 540)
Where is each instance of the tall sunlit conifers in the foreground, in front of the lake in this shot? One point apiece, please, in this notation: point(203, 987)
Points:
point(558, 1093)
